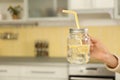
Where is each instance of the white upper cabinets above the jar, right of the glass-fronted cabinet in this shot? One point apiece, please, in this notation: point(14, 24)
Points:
point(92, 6)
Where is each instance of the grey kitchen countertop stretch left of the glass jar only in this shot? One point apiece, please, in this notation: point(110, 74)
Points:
point(30, 60)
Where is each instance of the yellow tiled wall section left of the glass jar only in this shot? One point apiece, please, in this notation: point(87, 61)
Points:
point(27, 36)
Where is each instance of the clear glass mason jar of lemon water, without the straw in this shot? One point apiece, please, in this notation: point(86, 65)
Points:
point(78, 46)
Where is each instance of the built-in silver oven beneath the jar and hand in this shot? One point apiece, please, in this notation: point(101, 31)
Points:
point(90, 72)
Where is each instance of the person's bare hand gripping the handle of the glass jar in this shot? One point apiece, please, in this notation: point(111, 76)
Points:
point(100, 52)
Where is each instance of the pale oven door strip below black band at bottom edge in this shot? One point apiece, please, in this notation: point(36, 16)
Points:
point(89, 78)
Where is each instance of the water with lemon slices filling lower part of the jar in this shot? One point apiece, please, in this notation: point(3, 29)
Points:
point(78, 54)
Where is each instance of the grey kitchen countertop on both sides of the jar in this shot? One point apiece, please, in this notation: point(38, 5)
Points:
point(37, 60)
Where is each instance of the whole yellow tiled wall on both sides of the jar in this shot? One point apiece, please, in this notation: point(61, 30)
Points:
point(56, 37)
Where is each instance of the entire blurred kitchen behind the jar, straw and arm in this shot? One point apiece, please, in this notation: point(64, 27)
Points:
point(33, 38)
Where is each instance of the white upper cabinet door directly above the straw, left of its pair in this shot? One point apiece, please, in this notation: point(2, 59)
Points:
point(79, 4)
